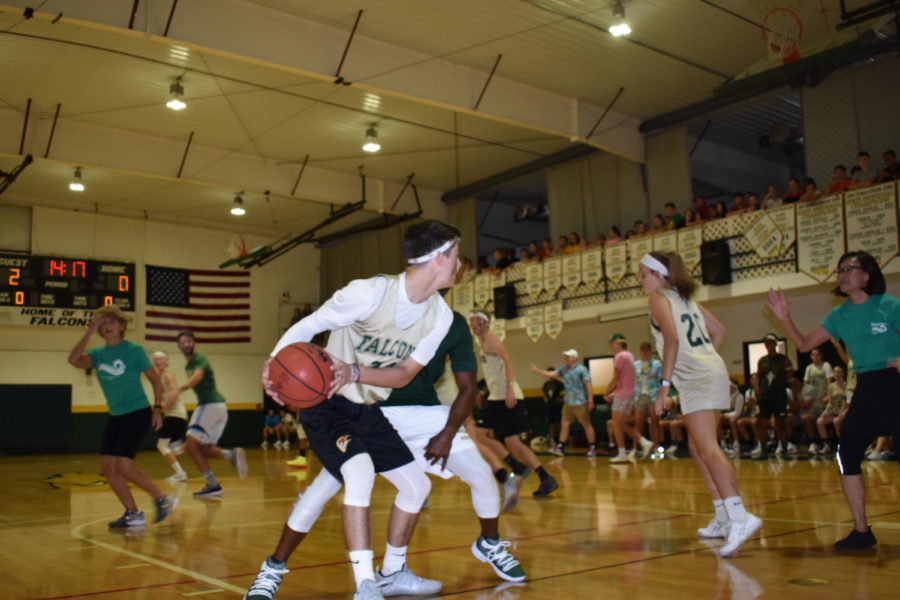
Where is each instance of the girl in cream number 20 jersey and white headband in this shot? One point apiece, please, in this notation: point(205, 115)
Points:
point(687, 338)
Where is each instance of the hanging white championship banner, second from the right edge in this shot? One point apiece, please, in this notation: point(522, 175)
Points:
point(820, 237)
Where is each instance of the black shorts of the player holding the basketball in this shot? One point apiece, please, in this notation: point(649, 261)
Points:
point(338, 430)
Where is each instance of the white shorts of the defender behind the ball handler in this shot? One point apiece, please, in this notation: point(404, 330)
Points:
point(417, 425)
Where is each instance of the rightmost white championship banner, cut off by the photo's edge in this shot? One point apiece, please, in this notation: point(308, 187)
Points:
point(872, 221)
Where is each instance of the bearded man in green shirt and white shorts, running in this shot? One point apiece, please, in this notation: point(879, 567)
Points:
point(209, 419)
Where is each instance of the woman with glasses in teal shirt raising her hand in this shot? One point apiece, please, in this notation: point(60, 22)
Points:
point(869, 325)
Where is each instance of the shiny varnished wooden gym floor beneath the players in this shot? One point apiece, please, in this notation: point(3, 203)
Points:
point(623, 531)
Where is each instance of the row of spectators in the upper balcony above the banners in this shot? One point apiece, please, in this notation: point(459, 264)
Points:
point(862, 175)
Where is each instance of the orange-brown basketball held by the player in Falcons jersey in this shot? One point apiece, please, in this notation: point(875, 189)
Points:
point(301, 374)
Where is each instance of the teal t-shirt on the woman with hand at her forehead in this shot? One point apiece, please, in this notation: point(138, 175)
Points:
point(119, 370)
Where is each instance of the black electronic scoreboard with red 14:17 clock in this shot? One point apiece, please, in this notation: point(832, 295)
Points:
point(69, 283)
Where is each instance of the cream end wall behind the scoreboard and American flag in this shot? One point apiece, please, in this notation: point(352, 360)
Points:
point(37, 355)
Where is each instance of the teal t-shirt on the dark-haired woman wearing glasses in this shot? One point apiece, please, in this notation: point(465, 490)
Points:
point(869, 330)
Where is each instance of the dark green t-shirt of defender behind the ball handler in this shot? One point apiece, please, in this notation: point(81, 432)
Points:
point(458, 345)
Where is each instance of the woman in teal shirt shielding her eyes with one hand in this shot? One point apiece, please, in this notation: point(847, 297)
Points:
point(119, 365)
